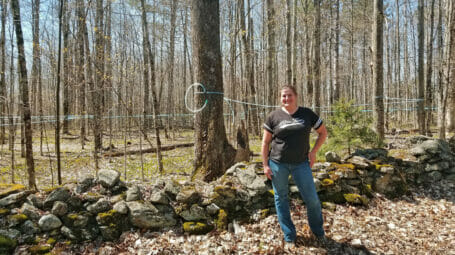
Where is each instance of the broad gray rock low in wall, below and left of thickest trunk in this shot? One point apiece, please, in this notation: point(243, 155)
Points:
point(145, 215)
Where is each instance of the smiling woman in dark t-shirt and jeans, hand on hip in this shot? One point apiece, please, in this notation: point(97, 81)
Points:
point(288, 130)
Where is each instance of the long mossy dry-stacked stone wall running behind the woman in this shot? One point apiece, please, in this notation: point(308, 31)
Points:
point(105, 207)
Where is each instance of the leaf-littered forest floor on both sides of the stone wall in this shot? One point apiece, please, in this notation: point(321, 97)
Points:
point(422, 222)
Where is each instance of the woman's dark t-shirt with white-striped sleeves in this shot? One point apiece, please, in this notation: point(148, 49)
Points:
point(291, 134)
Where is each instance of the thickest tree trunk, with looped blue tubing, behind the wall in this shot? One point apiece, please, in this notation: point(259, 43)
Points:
point(213, 153)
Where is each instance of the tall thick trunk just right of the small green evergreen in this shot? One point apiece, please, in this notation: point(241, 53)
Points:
point(378, 79)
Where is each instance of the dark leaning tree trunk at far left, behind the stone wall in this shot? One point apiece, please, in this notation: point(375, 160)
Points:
point(25, 99)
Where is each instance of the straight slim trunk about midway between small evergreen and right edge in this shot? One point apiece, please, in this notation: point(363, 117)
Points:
point(421, 84)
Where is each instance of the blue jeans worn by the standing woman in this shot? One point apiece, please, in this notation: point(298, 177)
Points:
point(303, 178)
